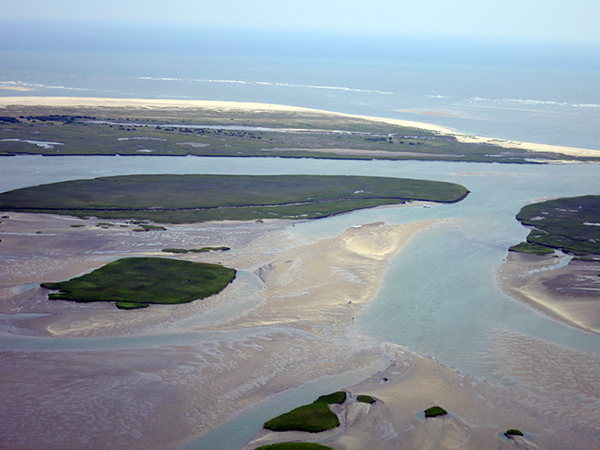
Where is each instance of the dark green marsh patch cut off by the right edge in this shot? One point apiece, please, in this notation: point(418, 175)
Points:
point(570, 224)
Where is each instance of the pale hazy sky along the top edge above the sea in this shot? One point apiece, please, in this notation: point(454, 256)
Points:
point(532, 20)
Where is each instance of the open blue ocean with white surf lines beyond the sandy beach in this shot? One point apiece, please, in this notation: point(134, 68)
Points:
point(551, 100)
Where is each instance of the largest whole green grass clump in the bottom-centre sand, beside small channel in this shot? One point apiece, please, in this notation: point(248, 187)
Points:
point(313, 418)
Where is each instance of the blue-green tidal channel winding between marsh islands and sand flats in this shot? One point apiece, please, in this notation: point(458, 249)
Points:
point(441, 285)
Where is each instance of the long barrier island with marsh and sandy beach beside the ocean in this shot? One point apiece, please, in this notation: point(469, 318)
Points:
point(101, 126)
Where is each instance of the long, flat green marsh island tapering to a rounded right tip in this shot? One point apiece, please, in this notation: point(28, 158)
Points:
point(199, 198)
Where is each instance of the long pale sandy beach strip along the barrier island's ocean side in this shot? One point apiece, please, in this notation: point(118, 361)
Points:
point(100, 102)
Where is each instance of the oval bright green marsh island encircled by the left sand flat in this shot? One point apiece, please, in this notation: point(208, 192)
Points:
point(138, 282)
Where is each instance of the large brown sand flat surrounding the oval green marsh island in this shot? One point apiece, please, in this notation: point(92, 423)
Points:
point(146, 394)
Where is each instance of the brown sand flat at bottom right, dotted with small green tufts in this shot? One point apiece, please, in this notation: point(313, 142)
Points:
point(479, 412)
